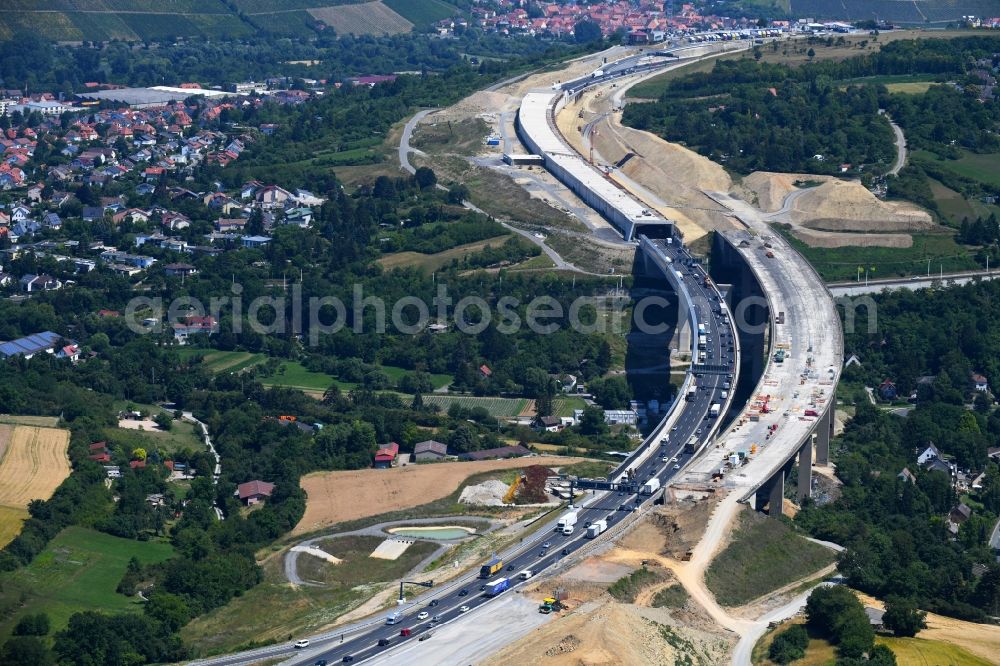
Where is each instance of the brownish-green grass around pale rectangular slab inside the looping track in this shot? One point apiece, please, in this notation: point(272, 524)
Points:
point(358, 568)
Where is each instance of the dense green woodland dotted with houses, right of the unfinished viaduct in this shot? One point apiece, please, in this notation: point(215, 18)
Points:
point(899, 537)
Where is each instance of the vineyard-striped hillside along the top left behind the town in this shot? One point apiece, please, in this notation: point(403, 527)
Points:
point(138, 20)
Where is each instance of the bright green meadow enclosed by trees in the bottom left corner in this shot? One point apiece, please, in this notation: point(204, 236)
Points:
point(78, 570)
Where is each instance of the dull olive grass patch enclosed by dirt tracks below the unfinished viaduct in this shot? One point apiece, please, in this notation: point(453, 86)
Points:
point(764, 555)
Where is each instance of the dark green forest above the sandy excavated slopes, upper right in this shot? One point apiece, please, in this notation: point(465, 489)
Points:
point(750, 115)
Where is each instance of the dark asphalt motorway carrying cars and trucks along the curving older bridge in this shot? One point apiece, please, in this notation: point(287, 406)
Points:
point(661, 456)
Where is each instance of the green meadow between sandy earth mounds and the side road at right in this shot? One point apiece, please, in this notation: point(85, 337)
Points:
point(841, 264)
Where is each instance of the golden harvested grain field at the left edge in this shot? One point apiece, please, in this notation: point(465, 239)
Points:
point(33, 462)
